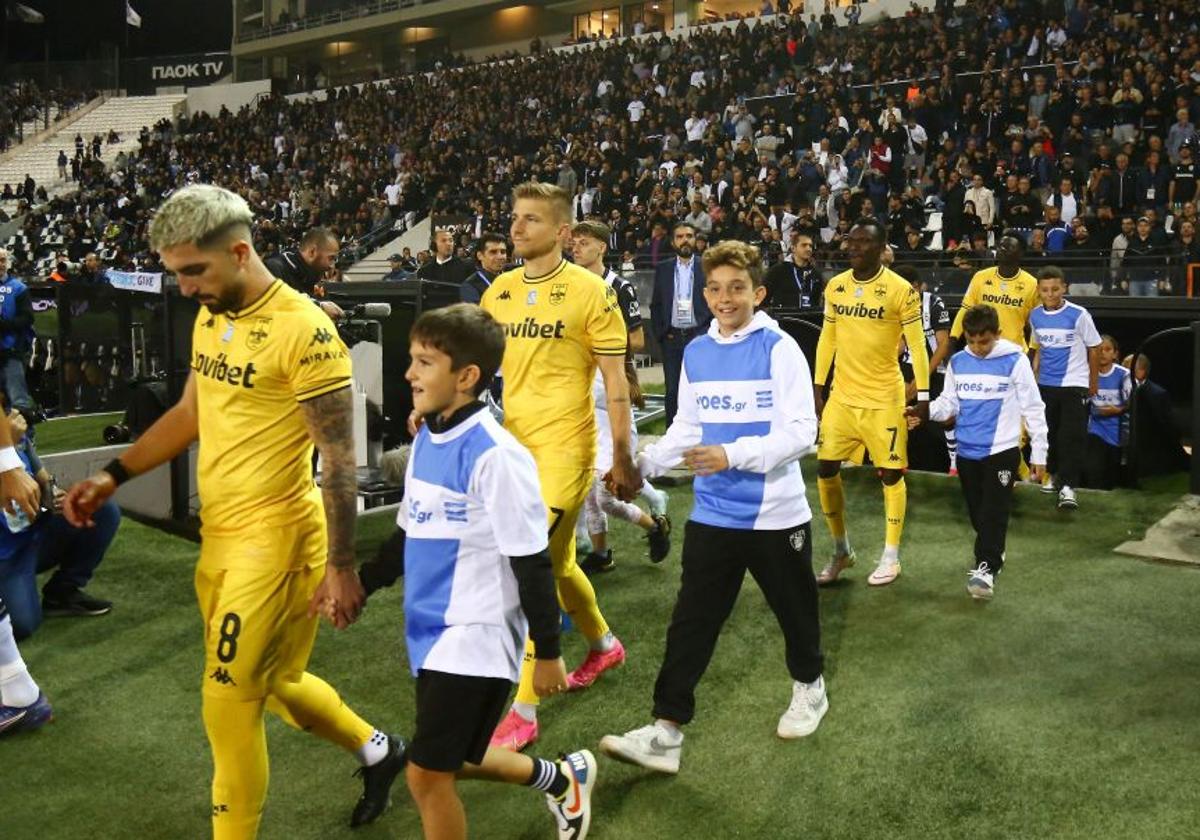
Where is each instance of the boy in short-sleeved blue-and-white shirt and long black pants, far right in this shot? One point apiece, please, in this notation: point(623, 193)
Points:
point(1066, 361)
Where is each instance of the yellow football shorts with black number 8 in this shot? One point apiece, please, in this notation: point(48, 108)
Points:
point(257, 628)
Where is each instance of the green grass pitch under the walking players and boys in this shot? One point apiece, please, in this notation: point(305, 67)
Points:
point(1066, 709)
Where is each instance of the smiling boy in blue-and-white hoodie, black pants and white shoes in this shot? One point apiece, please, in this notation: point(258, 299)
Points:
point(742, 427)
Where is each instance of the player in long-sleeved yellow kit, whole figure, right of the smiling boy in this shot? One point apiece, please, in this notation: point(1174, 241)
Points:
point(867, 311)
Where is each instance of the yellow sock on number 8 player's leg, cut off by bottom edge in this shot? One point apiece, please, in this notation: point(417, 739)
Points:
point(239, 766)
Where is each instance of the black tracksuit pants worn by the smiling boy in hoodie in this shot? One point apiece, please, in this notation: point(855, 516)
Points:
point(715, 565)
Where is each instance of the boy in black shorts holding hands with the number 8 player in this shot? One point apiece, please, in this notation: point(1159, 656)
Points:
point(478, 580)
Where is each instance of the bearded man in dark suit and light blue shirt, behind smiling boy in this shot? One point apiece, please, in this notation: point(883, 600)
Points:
point(679, 311)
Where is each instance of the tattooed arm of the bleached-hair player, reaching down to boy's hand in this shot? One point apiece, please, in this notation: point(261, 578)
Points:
point(331, 422)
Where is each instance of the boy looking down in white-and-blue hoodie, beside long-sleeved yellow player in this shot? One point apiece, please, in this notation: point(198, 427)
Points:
point(991, 389)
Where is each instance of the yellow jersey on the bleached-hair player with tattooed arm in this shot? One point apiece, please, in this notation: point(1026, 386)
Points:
point(253, 371)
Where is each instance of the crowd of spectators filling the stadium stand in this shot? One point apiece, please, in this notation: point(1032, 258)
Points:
point(1071, 122)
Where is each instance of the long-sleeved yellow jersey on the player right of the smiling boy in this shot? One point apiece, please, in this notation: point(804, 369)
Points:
point(863, 325)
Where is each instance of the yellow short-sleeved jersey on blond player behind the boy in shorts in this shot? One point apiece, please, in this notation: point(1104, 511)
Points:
point(554, 328)
